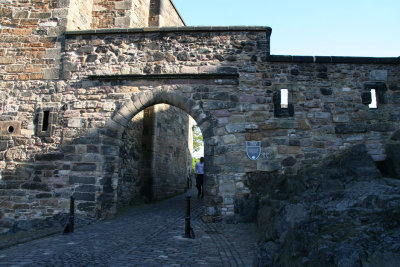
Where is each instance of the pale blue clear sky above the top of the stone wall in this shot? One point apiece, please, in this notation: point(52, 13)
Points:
point(308, 27)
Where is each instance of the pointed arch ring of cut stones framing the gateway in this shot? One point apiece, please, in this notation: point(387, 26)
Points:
point(116, 126)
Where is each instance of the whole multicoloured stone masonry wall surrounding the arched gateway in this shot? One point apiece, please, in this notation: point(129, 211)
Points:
point(69, 101)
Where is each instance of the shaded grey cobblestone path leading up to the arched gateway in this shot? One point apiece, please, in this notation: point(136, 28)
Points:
point(148, 235)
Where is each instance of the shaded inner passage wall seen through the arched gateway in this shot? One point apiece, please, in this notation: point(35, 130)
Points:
point(154, 157)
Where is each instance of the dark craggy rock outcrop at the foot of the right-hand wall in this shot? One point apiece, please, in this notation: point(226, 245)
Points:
point(337, 215)
